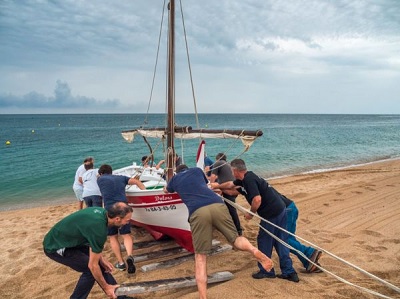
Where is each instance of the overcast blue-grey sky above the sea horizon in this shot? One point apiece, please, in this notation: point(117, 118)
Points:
point(247, 56)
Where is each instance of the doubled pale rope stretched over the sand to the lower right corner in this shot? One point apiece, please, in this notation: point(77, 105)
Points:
point(393, 287)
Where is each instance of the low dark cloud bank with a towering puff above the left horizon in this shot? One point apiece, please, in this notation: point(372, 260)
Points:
point(63, 98)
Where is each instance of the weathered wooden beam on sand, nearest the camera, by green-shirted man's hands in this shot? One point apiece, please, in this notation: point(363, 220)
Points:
point(167, 284)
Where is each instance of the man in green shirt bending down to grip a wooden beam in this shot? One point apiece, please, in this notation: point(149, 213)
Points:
point(77, 242)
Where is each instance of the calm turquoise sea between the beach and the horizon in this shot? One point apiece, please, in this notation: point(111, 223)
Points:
point(39, 153)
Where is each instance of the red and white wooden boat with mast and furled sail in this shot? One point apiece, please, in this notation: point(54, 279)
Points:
point(164, 214)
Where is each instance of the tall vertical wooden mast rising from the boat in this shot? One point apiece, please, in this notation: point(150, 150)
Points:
point(171, 92)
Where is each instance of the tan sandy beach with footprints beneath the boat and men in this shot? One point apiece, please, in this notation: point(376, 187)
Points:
point(352, 213)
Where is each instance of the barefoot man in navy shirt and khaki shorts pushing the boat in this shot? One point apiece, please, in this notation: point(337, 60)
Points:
point(207, 211)
